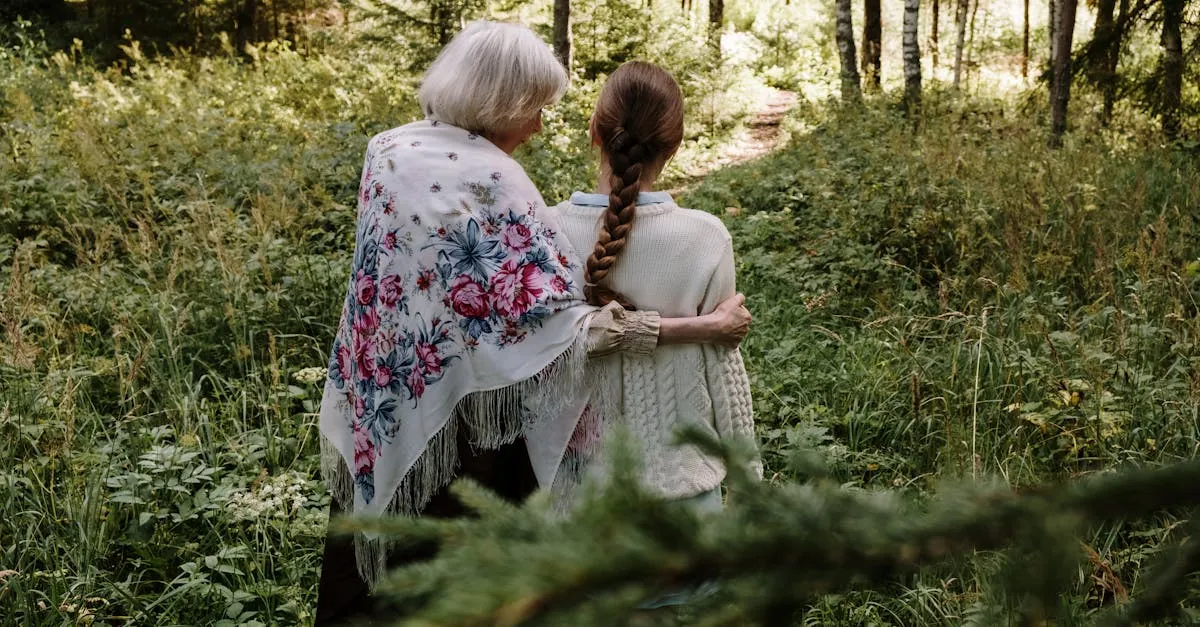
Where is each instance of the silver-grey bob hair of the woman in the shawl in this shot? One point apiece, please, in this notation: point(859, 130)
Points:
point(493, 77)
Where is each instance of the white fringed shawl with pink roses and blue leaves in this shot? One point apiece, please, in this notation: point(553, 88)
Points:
point(464, 312)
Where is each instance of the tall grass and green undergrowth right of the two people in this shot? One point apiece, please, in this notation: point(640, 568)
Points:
point(964, 303)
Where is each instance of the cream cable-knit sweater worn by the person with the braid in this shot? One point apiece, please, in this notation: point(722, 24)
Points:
point(679, 262)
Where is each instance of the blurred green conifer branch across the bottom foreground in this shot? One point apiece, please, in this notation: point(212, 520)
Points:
point(789, 545)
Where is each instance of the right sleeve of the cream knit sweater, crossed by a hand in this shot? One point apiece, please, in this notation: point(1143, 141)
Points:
point(729, 383)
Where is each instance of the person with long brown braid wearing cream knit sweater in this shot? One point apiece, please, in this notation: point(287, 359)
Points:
point(646, 252)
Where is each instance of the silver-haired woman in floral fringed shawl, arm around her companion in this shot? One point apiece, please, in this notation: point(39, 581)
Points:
point(465, 326)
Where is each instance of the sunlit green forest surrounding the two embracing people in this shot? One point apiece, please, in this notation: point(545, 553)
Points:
point(969, 232)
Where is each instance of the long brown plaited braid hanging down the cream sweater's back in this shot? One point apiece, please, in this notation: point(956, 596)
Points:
point(626, 156)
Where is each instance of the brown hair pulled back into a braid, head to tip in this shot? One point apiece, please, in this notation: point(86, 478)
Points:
point(639, 126)
